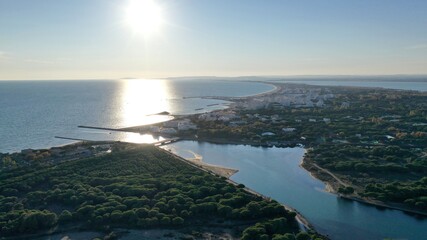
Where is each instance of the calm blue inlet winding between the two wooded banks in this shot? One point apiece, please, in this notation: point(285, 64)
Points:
point(275, 172)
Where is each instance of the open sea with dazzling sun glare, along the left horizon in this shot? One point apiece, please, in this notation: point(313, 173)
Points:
point(32, 113)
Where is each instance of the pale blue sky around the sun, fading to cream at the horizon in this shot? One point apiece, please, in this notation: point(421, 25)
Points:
point(92, 39)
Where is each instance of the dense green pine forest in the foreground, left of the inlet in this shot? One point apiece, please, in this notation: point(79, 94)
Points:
point(133, 187)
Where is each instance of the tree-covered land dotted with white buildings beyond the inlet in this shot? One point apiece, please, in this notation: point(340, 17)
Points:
point(375, 140)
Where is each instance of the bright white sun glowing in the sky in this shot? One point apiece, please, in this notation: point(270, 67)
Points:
point(144, 16)
